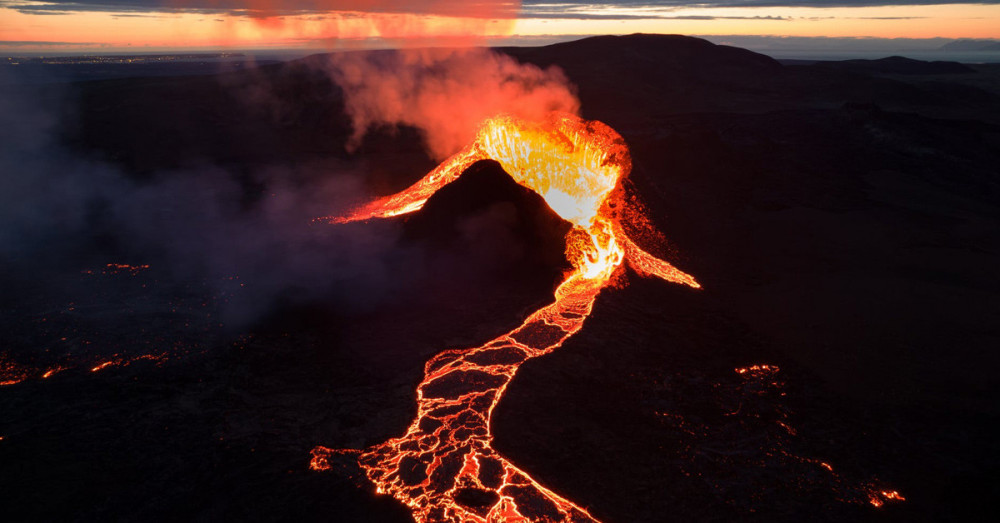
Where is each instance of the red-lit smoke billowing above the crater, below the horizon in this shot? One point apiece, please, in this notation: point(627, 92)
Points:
point(445, 93)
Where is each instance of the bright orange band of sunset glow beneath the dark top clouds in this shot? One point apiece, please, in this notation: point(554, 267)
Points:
point(457, 25)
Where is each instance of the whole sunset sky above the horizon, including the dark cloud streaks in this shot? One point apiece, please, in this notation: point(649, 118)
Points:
point(147, 25)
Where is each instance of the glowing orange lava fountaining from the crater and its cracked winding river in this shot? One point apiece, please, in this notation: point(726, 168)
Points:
point(444, 468)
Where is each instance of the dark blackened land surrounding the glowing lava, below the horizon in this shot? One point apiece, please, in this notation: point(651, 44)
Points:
point(843, 218)
